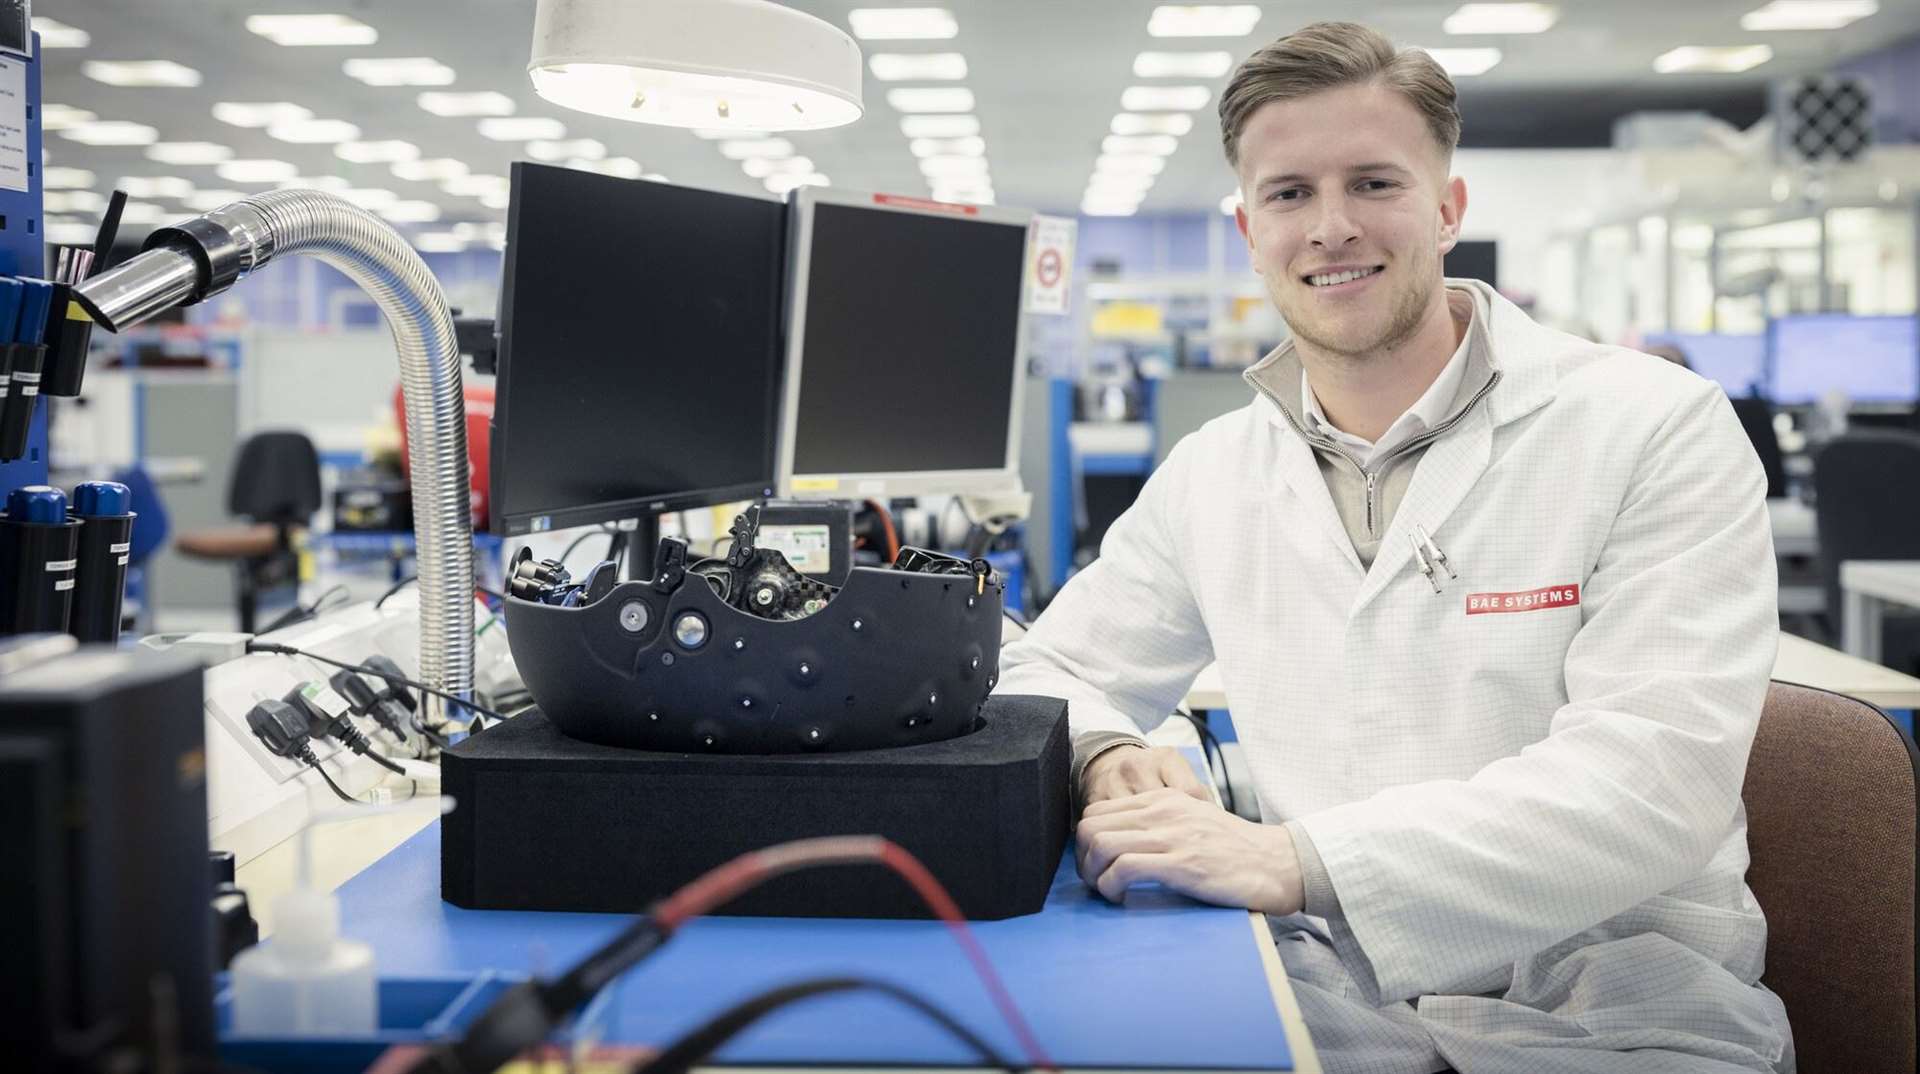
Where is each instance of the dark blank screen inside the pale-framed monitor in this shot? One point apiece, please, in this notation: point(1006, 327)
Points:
point(911, 331)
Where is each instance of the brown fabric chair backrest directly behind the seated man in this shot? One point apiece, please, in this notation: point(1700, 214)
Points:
point(1833, 833)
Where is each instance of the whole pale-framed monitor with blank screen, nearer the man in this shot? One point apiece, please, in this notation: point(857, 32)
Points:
point(905, 347)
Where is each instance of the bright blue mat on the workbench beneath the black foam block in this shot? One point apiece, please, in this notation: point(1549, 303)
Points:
point(1159, 983)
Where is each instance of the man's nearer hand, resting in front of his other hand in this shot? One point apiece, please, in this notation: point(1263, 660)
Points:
point(1189, 846)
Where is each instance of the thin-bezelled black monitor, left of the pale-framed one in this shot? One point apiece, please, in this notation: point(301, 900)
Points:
point(638, 349)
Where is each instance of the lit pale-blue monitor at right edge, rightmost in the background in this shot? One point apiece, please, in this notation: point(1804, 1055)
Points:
point(1871, 360)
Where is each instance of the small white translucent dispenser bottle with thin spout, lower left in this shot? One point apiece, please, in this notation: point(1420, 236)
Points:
point(306, 981)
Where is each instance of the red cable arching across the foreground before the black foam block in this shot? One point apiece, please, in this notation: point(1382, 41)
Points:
point(748, 871)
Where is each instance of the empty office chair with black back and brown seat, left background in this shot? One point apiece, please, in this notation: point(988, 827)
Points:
point(277, 487)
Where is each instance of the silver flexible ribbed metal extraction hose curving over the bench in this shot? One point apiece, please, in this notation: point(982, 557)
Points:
point(208, 255)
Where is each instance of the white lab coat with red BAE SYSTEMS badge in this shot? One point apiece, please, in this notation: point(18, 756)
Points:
point(1522, 812)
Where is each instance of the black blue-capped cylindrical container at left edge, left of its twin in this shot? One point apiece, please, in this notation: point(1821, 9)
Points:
point(37, 560)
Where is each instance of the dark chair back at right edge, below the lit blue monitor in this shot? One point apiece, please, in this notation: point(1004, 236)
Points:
point(1867, 502)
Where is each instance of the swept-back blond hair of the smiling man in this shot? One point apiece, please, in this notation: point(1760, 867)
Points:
point(1337, 55)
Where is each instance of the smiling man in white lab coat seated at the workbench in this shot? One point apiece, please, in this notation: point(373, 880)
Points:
point(1495, 612)
